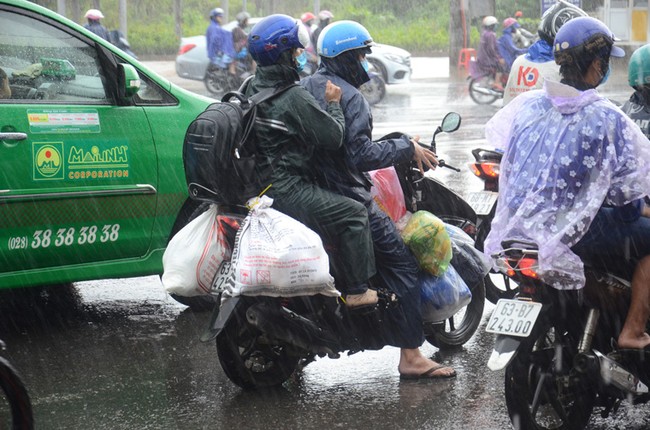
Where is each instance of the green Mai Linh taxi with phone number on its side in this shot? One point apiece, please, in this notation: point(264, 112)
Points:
point(91, 177)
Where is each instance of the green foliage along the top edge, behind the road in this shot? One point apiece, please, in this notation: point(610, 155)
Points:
point(420, 26)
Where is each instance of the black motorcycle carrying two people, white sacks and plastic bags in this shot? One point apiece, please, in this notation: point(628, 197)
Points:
point(261, 340)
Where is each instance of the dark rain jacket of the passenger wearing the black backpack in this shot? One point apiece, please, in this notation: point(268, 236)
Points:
point(291, 126)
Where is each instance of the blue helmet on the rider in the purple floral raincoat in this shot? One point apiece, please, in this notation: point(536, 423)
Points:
point(584, 36)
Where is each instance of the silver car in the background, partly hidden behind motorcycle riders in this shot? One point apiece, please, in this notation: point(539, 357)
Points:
point(392, 63)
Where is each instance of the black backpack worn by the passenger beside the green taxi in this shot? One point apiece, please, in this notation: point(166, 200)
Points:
point(219, 152)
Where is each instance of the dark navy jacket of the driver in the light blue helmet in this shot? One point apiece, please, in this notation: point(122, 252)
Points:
point(345, 170)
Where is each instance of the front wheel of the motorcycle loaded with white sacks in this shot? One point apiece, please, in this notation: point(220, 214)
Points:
point(458, 329)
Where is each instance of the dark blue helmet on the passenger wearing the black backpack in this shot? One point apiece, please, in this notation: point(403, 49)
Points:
point(273, 35)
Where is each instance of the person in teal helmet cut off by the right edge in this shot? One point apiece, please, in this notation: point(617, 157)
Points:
point(638, 106)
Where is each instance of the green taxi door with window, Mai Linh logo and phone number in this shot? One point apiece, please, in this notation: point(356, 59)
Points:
point(78, 177)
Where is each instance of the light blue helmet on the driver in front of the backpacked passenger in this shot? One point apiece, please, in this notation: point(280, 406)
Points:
point(342, 36)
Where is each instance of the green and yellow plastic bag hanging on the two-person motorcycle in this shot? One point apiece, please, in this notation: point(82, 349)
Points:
point(426, 236)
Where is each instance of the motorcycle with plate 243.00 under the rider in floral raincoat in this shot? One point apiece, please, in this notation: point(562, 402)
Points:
point(558, 346)
